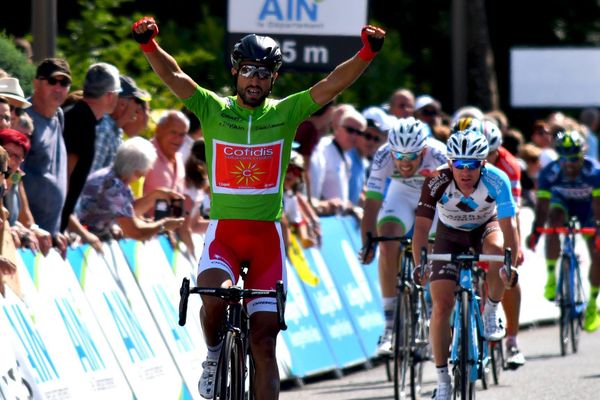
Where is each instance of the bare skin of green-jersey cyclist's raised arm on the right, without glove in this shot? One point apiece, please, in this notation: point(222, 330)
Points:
point(344, 74)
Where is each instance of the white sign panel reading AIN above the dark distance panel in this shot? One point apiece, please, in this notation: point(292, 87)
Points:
point(298, 17)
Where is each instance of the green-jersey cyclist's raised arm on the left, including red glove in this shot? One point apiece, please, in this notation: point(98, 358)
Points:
point(144, 31)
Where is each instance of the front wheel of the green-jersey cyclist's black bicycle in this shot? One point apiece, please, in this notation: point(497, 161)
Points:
point(229, 381)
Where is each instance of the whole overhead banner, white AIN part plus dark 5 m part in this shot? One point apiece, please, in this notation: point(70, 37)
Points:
point(314, 35)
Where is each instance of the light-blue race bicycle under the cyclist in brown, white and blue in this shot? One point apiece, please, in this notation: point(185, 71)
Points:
point(469, 349)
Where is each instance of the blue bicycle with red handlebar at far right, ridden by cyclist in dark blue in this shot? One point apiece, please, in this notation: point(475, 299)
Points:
point(570, 297)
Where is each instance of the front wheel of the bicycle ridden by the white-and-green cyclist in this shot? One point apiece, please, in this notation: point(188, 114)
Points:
point(401, 349)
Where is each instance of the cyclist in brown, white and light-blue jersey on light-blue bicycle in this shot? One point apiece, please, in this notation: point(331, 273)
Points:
point(476, 210)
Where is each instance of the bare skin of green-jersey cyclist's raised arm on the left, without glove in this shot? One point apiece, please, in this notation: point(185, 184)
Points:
point(167, 68)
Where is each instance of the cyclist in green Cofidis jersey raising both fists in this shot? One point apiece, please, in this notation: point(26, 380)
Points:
point(248, 142)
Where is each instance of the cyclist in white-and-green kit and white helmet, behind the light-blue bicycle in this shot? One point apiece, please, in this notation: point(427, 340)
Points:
point(409, 156)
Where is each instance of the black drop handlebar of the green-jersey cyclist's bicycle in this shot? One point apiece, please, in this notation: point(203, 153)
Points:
point(233, 294)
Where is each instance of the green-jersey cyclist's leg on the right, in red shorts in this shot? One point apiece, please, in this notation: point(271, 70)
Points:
point(267, 266)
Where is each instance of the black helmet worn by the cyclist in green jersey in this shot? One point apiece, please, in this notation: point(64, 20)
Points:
point(261, 49)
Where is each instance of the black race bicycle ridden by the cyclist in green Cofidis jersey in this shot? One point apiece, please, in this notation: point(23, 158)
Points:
point(235, 361)
